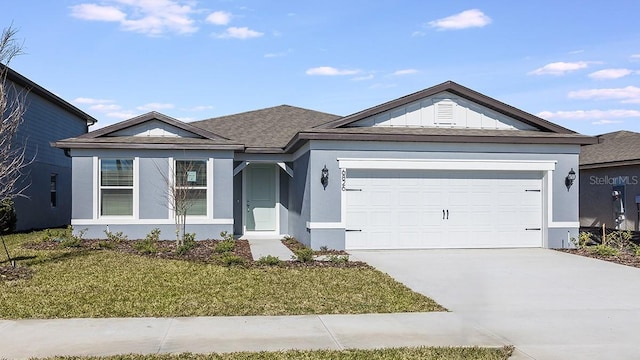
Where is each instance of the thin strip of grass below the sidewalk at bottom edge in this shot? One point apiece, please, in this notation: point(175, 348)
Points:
point(449, 353)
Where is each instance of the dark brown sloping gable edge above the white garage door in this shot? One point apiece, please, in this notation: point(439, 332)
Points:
point(461, 91)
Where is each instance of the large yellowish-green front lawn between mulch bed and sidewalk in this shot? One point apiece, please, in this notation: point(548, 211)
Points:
point(79, 283)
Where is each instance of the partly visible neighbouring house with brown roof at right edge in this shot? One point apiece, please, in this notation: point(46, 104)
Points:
point(611, 165)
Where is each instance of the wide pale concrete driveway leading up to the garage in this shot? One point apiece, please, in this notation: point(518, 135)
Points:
point(549, 304)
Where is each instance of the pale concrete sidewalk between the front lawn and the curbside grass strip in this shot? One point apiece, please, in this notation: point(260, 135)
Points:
point(101, 337)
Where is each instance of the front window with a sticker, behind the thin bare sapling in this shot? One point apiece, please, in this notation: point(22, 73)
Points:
point(191, 186)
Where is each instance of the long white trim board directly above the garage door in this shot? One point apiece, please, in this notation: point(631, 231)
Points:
point(447, 164)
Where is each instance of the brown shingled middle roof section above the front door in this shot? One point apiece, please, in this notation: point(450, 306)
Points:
point(266, 130)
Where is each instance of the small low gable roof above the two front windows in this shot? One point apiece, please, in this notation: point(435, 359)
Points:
point(104, 138)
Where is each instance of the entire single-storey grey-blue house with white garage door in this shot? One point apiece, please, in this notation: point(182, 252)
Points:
point(445, 167)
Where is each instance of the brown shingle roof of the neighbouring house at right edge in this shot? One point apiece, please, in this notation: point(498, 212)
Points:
point(613, 149)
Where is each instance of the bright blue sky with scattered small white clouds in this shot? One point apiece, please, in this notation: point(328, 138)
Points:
point(575, 63)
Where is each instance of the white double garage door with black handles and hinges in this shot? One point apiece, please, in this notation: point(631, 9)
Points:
point(395, 209)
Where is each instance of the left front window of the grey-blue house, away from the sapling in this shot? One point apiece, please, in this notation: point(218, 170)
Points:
point(116, 187)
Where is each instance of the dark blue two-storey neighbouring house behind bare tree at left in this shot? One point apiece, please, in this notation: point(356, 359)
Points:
point(47, 118)
